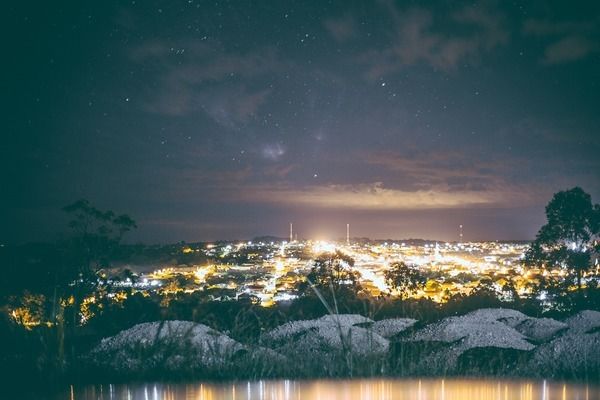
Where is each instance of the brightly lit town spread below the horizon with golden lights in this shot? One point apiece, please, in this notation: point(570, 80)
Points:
point(269, 272)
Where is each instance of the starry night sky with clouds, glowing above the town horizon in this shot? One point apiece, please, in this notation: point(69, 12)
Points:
point(210, 120)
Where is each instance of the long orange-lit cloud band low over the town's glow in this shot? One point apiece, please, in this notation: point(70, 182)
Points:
point(422, 181)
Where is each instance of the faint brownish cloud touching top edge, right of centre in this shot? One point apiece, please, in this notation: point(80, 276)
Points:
point(417, 38)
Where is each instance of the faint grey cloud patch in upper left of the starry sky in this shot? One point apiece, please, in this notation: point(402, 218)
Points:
point(192, 76)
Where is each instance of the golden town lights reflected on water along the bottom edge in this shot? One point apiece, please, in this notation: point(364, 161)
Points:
point(359, 389)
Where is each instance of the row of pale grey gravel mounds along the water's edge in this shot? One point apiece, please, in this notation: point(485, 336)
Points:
point(501, 341)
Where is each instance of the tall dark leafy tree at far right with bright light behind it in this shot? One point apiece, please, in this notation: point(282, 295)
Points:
point(569, 239)
